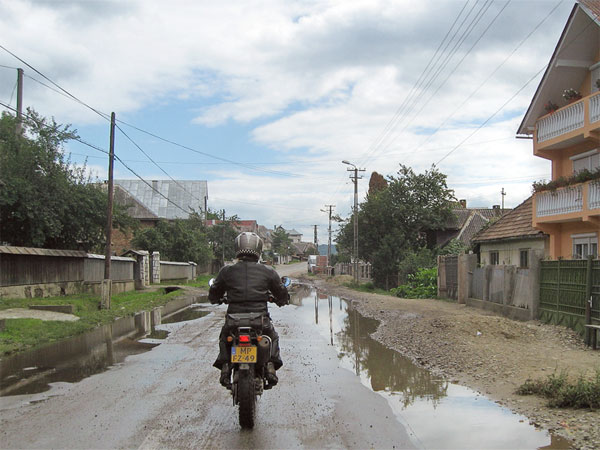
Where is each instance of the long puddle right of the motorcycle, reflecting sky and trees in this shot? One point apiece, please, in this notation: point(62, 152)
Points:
point(437, 413)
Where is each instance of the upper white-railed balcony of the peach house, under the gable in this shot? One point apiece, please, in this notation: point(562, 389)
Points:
point(568, 125)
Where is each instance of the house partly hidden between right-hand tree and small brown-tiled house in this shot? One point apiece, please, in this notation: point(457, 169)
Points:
point(463, 225)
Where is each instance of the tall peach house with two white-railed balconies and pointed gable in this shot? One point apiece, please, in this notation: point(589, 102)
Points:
point(570, 136)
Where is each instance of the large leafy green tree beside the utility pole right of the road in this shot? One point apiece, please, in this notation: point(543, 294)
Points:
point(392, 221)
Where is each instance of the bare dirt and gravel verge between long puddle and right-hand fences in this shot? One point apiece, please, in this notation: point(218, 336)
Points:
point(489, 353)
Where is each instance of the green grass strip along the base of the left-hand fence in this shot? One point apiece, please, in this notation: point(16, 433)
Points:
point(25, 334)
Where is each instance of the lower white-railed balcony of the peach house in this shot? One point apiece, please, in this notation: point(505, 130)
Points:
point(580, 202)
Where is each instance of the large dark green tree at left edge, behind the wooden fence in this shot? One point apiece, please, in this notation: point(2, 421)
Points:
point(44, 200)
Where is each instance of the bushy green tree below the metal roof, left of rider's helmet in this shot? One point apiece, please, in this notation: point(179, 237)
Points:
point(177, 240)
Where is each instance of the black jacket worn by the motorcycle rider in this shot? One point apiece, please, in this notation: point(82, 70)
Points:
point(248, 284)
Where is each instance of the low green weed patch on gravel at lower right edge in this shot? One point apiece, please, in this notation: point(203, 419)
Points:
point(564, 393)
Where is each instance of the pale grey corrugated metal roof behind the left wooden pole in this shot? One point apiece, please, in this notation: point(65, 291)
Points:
point(187, 194)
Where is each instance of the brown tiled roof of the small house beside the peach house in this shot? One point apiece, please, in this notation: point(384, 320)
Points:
point(514, 224)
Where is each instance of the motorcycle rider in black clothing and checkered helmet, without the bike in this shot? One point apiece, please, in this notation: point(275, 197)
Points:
point(248, 285)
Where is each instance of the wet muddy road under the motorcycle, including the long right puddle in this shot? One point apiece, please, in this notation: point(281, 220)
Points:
point(338, 388)
